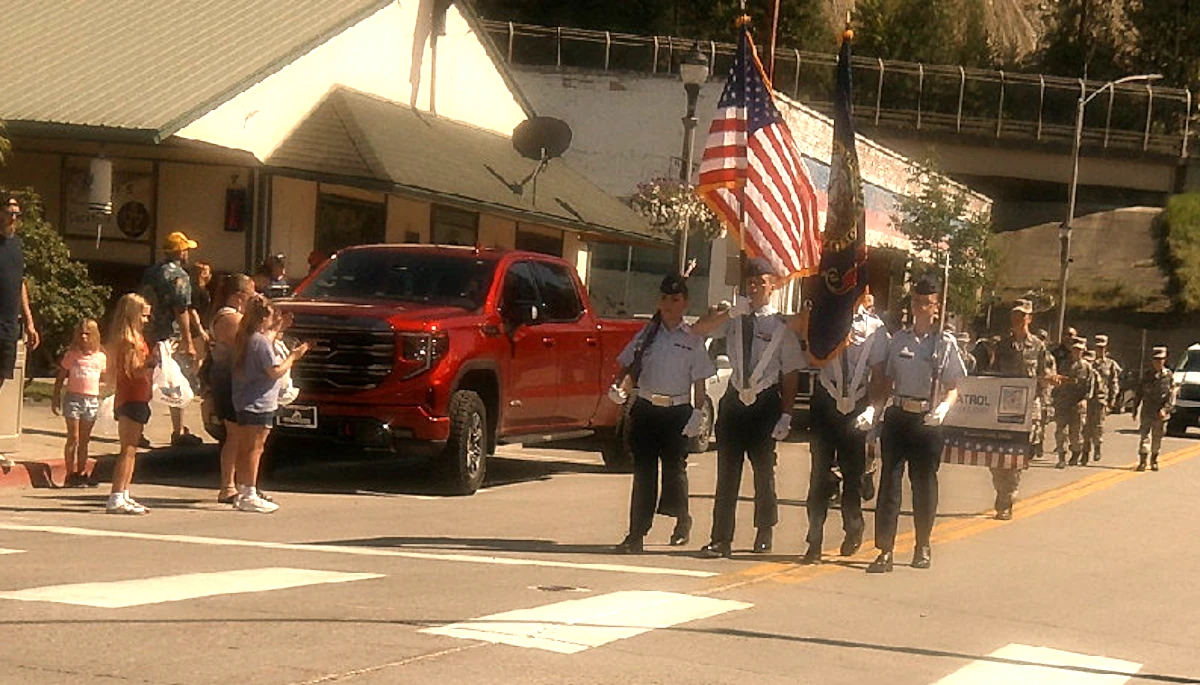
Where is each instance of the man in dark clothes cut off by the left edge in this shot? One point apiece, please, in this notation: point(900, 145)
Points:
point(14, 299)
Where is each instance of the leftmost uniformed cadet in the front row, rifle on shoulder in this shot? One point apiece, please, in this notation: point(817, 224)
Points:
point(668, 365)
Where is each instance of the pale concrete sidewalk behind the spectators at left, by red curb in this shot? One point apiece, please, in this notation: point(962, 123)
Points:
point(40, 455)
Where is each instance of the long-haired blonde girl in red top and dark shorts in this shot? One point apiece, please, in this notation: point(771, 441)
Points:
point(131, 366)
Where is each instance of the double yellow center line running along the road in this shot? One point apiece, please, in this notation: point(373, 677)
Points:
point(949, 530)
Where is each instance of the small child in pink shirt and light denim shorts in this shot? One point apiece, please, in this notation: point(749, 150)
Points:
point(83, 371)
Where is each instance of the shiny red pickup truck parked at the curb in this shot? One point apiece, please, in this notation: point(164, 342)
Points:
point(445, 352)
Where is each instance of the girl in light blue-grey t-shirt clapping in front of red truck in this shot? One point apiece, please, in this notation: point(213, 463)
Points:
point(257, 381)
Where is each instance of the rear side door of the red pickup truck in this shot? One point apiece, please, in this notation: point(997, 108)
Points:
point(577, 340)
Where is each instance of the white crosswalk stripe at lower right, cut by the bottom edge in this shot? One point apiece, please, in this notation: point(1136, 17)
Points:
point(1042, 666)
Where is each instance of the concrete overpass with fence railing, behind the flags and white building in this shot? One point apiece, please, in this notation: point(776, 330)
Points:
point(1006, 135)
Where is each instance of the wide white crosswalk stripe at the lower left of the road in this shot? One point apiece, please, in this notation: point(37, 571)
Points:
point(119, 594)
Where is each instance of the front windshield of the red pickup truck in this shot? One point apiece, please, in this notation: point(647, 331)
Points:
point(405, 277)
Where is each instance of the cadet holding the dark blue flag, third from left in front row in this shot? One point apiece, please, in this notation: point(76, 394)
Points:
point(842, 416)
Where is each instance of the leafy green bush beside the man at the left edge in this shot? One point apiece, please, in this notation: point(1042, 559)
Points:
point(61, 290)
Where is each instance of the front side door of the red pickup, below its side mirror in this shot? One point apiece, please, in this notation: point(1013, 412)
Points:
point(531, 384)
